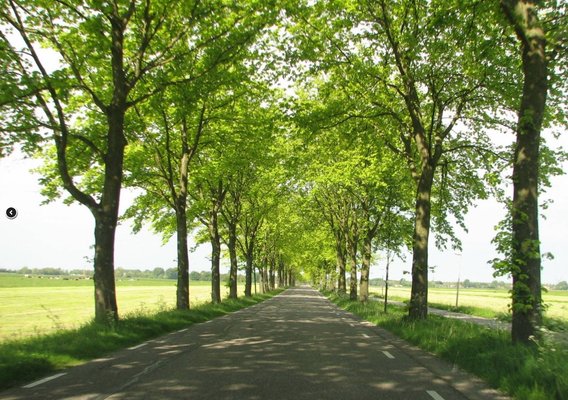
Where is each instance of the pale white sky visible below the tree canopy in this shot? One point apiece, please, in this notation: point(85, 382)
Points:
point(61, 236)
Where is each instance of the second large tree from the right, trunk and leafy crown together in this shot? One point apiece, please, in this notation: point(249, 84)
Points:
point(437, 91)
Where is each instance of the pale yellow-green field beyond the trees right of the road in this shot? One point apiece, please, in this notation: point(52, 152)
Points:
point(482, 302)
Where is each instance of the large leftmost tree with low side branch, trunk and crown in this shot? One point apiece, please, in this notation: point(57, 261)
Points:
point(108, 54)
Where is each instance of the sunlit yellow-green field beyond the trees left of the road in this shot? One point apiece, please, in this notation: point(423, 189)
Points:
point(33, 306)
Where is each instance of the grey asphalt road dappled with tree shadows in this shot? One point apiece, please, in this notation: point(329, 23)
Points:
point(296, 345)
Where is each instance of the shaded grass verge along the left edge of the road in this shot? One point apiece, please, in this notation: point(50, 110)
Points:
point(27, 359)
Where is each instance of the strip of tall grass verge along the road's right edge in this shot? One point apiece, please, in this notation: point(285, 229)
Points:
point(539, 373)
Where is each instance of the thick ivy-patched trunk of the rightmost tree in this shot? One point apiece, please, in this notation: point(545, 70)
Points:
point(527, 297)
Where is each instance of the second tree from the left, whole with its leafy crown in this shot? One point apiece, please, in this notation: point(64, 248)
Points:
point(172, 144)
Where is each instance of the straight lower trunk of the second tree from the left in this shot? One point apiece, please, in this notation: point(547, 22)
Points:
point(182, 291)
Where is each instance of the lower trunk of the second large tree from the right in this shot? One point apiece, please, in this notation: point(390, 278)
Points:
point(419, 296)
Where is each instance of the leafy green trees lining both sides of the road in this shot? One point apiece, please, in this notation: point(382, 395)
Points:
point(388, 132)
